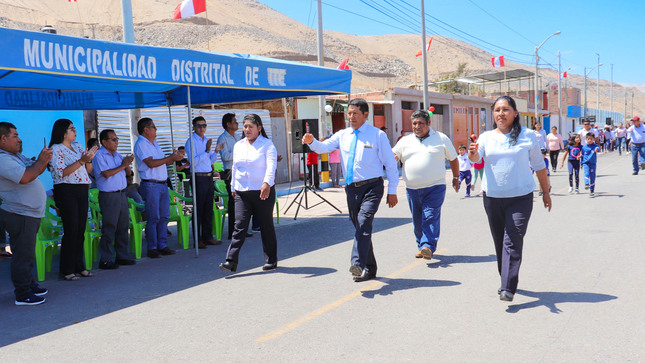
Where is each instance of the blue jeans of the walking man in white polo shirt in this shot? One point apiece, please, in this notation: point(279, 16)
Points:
point(425, 205)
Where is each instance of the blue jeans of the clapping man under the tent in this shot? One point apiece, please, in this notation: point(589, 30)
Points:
point(157, 214)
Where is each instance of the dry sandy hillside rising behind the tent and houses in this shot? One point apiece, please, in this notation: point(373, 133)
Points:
point(247, 26)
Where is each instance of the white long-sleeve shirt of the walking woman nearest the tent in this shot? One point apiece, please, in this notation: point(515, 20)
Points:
point(253, 164)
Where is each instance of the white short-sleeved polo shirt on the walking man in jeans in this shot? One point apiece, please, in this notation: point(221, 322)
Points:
point(424, 162)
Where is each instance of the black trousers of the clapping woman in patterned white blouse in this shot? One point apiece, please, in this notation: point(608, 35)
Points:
point(72, 203)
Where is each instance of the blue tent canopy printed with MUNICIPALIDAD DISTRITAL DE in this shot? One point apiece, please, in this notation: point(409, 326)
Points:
point(41, 71)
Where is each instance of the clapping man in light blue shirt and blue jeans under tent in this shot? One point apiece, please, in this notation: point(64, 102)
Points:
point(152, 169)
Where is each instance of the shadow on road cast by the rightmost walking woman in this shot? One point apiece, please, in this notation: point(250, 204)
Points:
point(550, 299)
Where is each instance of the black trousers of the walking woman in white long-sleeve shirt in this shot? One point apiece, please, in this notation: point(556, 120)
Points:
point(246, 204)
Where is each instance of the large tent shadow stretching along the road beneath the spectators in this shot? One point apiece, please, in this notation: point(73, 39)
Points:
point(71, 302)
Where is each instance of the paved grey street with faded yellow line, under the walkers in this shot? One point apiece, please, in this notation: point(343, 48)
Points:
point(580, 299)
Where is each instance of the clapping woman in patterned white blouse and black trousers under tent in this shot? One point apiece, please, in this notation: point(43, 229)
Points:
point(69, 166)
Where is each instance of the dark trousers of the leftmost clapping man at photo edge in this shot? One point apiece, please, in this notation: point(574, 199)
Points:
point(22, 237)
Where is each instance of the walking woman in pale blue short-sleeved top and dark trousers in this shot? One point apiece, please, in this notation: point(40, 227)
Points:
point(510, 151)
